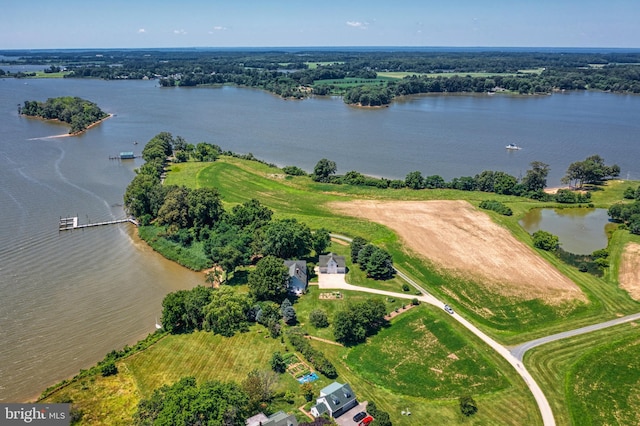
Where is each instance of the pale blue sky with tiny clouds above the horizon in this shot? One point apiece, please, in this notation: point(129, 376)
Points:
point(46, 24)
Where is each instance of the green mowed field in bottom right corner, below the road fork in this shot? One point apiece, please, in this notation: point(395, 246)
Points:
point(592, 378)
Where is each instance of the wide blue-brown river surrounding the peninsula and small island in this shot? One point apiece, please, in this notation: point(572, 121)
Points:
point(68, 298)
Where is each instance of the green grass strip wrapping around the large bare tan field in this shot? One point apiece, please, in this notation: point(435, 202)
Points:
point(508, 320)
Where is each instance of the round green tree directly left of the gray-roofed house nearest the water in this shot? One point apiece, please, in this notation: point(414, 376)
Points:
point(269, 279)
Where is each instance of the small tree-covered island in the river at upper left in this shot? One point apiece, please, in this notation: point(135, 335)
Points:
point(79, 113)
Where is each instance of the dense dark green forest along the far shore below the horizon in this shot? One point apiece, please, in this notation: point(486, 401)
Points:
point(363, 77)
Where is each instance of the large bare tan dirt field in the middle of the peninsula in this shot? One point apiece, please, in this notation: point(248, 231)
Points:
point(465, 242)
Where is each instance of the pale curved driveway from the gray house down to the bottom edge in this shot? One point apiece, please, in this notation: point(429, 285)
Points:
point(541, 400)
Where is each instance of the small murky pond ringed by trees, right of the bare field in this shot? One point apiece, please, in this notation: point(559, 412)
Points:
point(581, 231)
